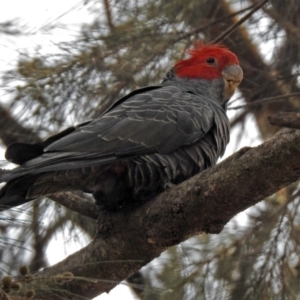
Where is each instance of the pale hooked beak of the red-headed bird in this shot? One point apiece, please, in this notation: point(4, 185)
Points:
point(232, 75)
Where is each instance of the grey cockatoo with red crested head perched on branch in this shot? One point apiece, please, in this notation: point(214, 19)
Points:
point(152, 138)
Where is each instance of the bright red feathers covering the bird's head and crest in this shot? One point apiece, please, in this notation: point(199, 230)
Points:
point(206, 62)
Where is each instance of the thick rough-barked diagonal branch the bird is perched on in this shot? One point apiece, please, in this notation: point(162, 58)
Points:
point(127, 240)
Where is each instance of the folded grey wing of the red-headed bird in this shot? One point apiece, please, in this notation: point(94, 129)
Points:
point(153, 121)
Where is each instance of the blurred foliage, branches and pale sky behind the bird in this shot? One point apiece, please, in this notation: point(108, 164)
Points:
point(64, 62)
